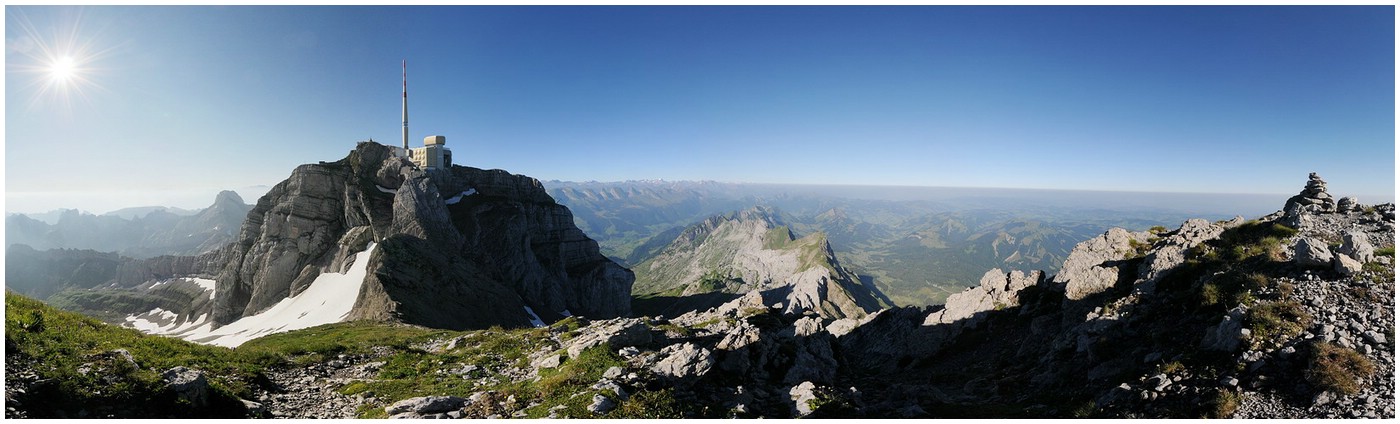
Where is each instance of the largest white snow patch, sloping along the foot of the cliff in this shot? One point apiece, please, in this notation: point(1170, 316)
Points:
point(328, 300)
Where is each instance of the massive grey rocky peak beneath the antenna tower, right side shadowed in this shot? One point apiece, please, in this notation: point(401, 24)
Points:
point(458, 248)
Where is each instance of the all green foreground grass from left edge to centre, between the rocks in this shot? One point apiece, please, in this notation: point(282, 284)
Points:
point(57, 345)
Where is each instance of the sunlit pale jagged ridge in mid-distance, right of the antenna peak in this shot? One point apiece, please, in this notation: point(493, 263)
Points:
point(726, 257)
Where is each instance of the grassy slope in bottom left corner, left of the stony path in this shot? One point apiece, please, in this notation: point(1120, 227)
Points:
point(57, 345)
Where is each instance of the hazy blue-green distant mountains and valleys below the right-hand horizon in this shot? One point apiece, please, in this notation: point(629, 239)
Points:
point(915, 244)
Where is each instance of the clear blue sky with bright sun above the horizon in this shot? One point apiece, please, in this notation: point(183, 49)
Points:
point(187, 101)
